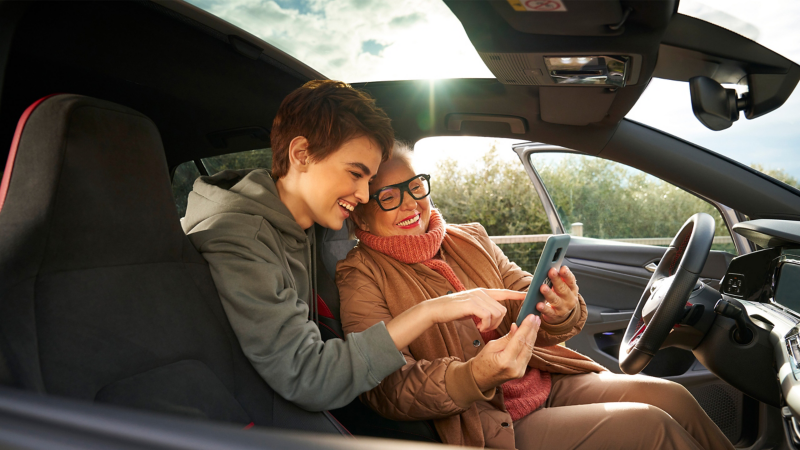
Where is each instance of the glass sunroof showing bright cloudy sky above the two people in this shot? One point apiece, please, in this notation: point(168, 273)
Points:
point(360, 40)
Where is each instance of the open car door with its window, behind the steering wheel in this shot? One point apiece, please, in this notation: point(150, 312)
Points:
point(621, 220)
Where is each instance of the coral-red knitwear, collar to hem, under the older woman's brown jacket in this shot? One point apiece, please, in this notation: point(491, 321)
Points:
point(521, 396)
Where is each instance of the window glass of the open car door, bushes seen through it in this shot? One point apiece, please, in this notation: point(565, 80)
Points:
point(603, 199)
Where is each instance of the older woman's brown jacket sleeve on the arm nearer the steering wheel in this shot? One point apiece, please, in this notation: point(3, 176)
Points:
point(516, 279)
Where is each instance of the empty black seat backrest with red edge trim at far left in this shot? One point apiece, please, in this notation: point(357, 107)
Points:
point(102, 296)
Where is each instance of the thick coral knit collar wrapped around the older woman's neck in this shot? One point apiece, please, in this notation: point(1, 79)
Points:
point(408, 249)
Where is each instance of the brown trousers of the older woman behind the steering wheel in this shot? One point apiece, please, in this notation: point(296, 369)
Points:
point(610, 411)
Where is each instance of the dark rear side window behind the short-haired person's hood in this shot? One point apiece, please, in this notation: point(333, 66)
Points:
point(186, 173)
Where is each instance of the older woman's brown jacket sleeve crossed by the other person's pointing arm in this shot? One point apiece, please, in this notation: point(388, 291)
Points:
point(420, 390)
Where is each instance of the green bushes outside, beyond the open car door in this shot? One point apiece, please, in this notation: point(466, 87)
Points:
point(610, 199)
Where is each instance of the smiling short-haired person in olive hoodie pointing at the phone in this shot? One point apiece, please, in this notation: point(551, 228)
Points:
point(255, 229)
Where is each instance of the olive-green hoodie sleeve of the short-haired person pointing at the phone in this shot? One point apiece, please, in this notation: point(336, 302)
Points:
point(273, 328)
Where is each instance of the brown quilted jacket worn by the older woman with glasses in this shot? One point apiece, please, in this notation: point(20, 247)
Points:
point(437, 381)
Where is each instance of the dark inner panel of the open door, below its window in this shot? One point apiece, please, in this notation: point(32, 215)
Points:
point(611, 277)
